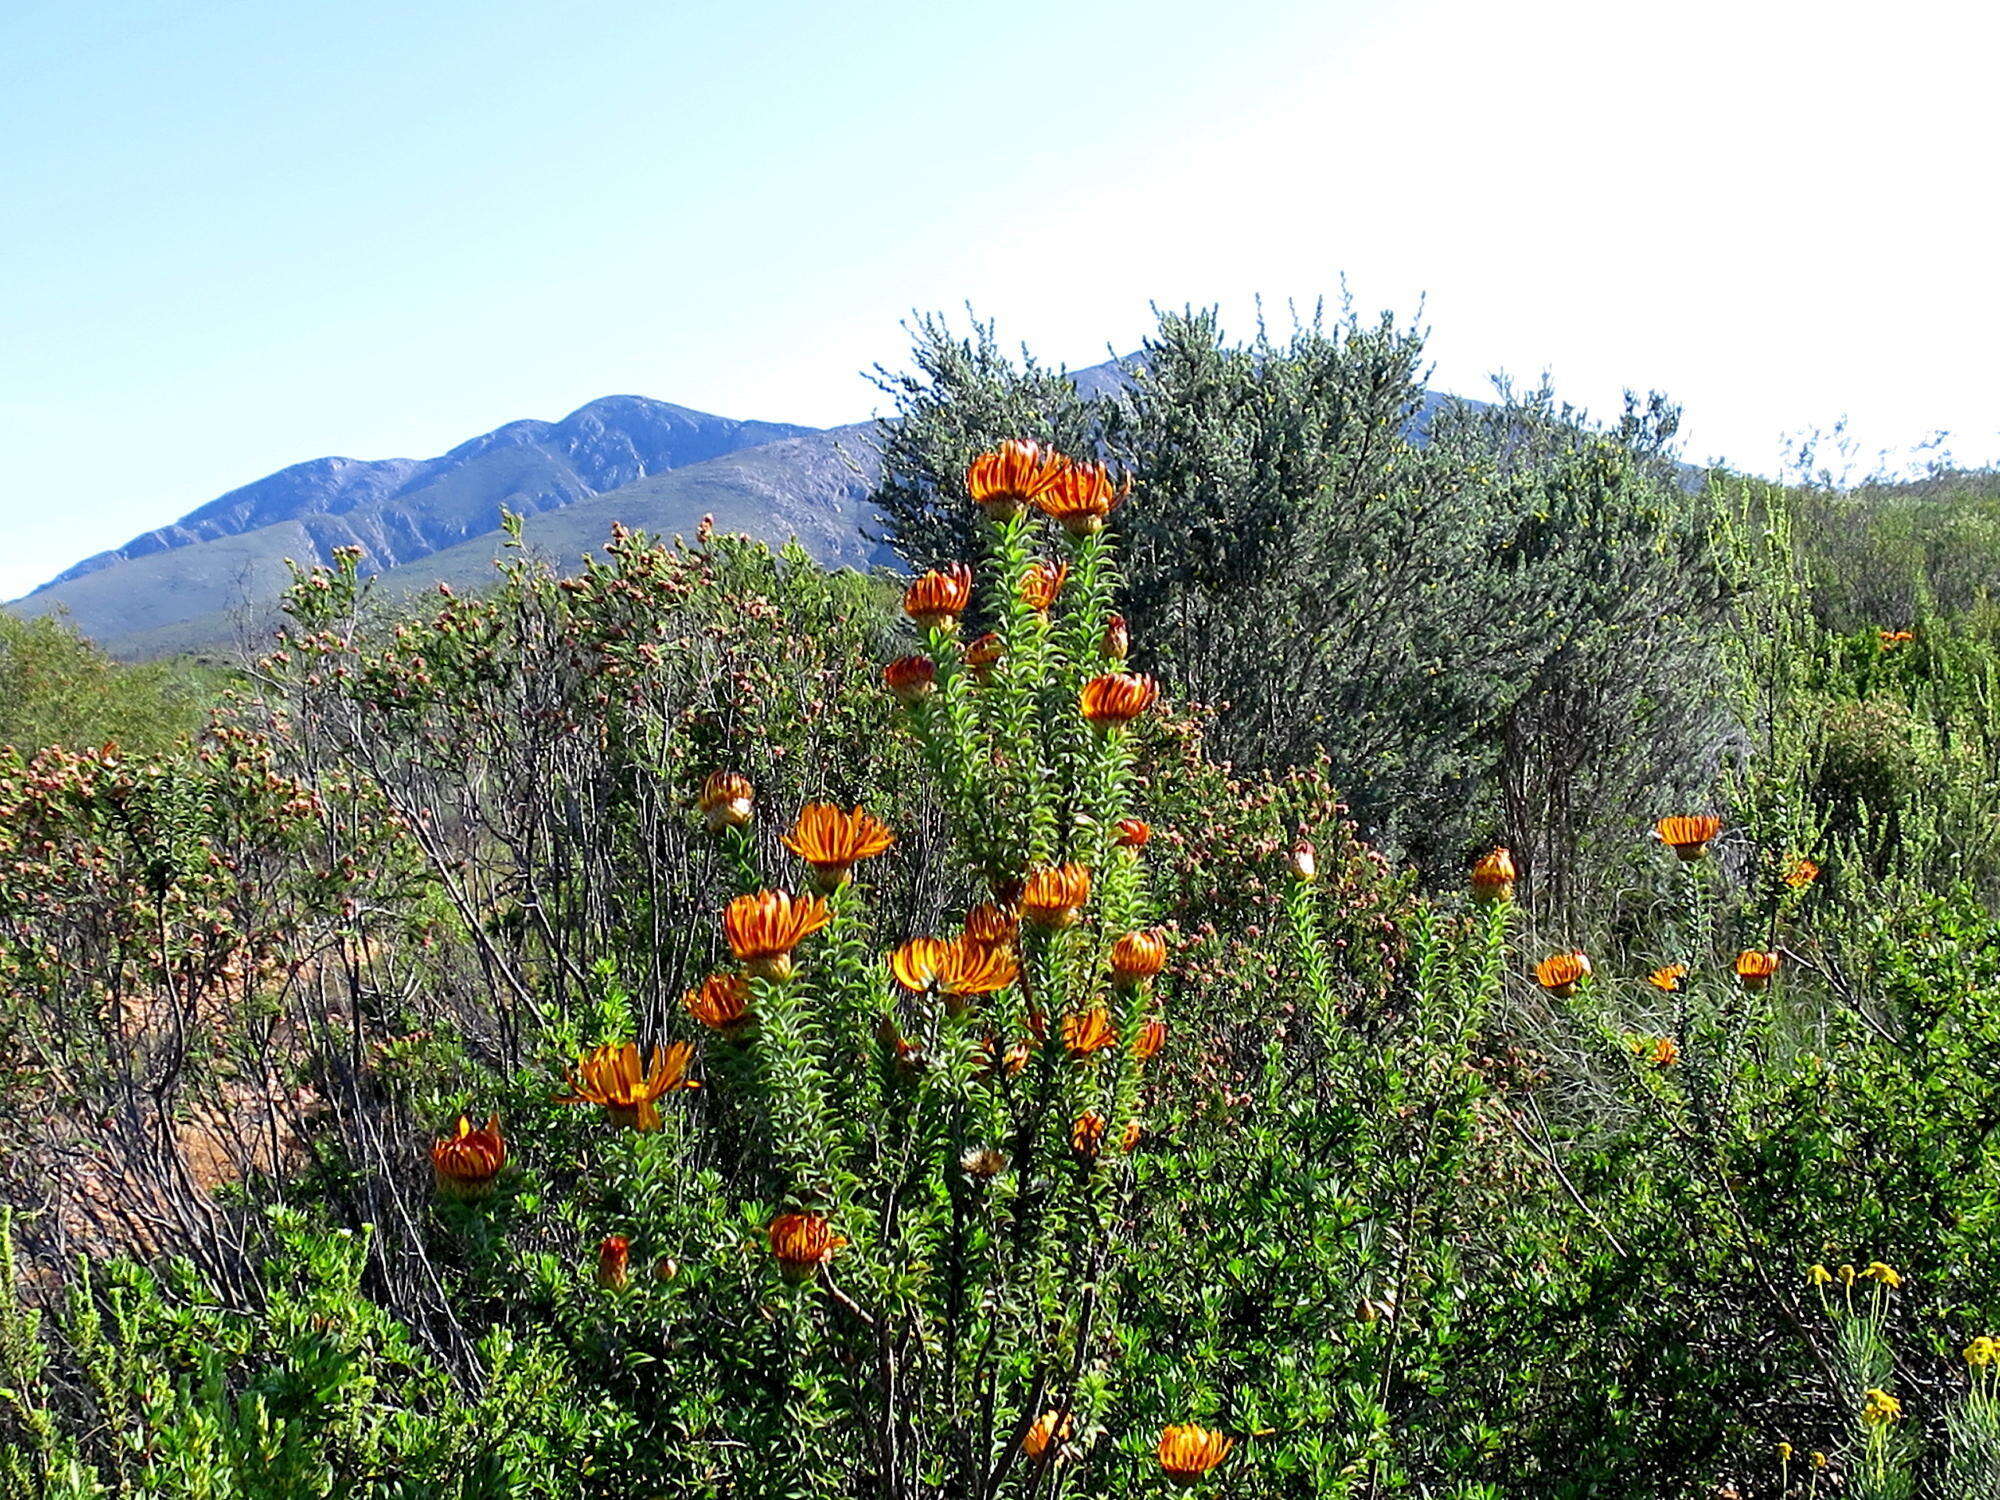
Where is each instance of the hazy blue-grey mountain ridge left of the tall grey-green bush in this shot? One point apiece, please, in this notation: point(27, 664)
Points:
point(211, 577)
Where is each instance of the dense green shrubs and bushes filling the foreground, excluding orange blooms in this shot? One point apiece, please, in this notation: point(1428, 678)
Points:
point(1395, 1217)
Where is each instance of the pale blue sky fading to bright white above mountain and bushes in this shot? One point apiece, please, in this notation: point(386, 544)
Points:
point(243, 235)
